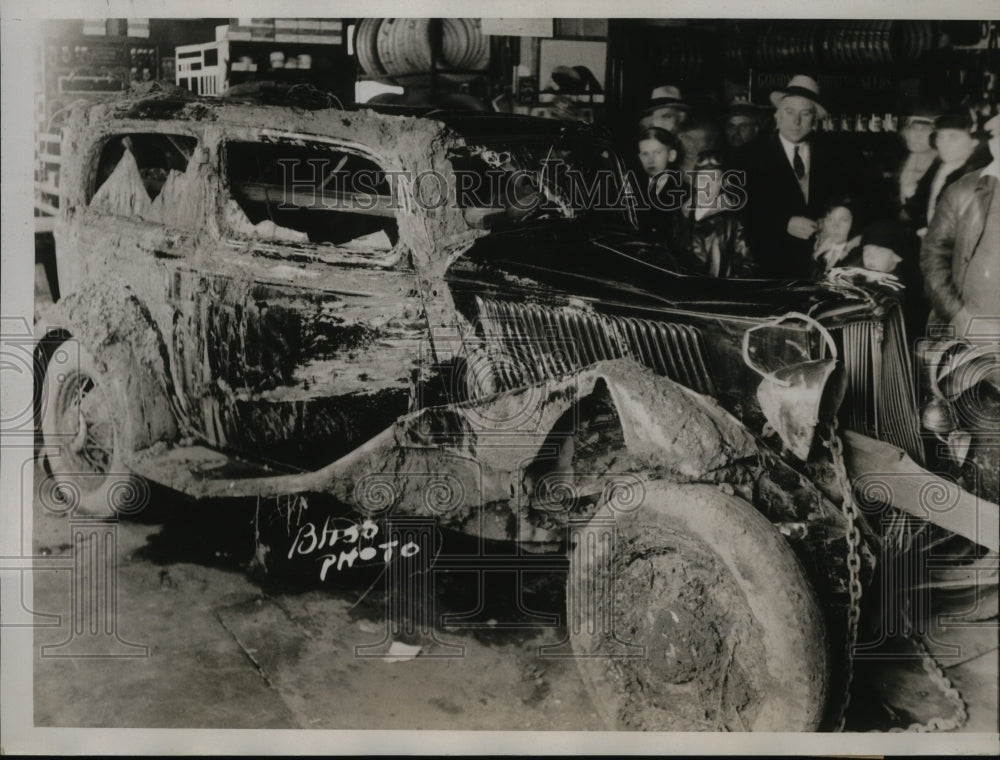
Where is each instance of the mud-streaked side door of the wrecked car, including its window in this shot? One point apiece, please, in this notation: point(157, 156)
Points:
point(301, 333)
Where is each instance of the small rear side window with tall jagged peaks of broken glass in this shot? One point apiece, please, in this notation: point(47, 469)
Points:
point(151, 177)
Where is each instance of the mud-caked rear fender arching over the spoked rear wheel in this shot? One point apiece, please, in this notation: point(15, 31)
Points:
point(119, 333)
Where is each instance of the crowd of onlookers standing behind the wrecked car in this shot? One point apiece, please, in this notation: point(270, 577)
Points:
point(761, 194)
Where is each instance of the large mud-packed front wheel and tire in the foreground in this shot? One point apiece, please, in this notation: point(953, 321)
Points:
point(694, 614)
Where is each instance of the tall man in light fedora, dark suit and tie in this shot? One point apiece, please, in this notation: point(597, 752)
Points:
point(788, 179)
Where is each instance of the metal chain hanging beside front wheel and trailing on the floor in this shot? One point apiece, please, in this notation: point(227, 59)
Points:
point(930, 664)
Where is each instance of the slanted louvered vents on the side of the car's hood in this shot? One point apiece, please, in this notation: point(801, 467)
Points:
point(542, 342)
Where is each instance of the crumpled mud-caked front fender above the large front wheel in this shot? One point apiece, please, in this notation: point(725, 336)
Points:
point(459, 456)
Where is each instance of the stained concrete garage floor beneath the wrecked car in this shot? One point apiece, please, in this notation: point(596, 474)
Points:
point(225, 651)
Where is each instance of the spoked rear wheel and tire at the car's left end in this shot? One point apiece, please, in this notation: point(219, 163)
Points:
point(82, 442)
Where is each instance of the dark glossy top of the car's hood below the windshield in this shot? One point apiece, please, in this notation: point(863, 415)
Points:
point(563, 263)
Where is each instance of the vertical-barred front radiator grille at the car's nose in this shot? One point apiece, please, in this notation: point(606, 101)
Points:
point(879, 400)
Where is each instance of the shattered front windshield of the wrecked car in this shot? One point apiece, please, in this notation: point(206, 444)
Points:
point(511, 181)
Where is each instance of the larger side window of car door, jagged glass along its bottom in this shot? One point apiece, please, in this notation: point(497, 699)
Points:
point(297, 192)
